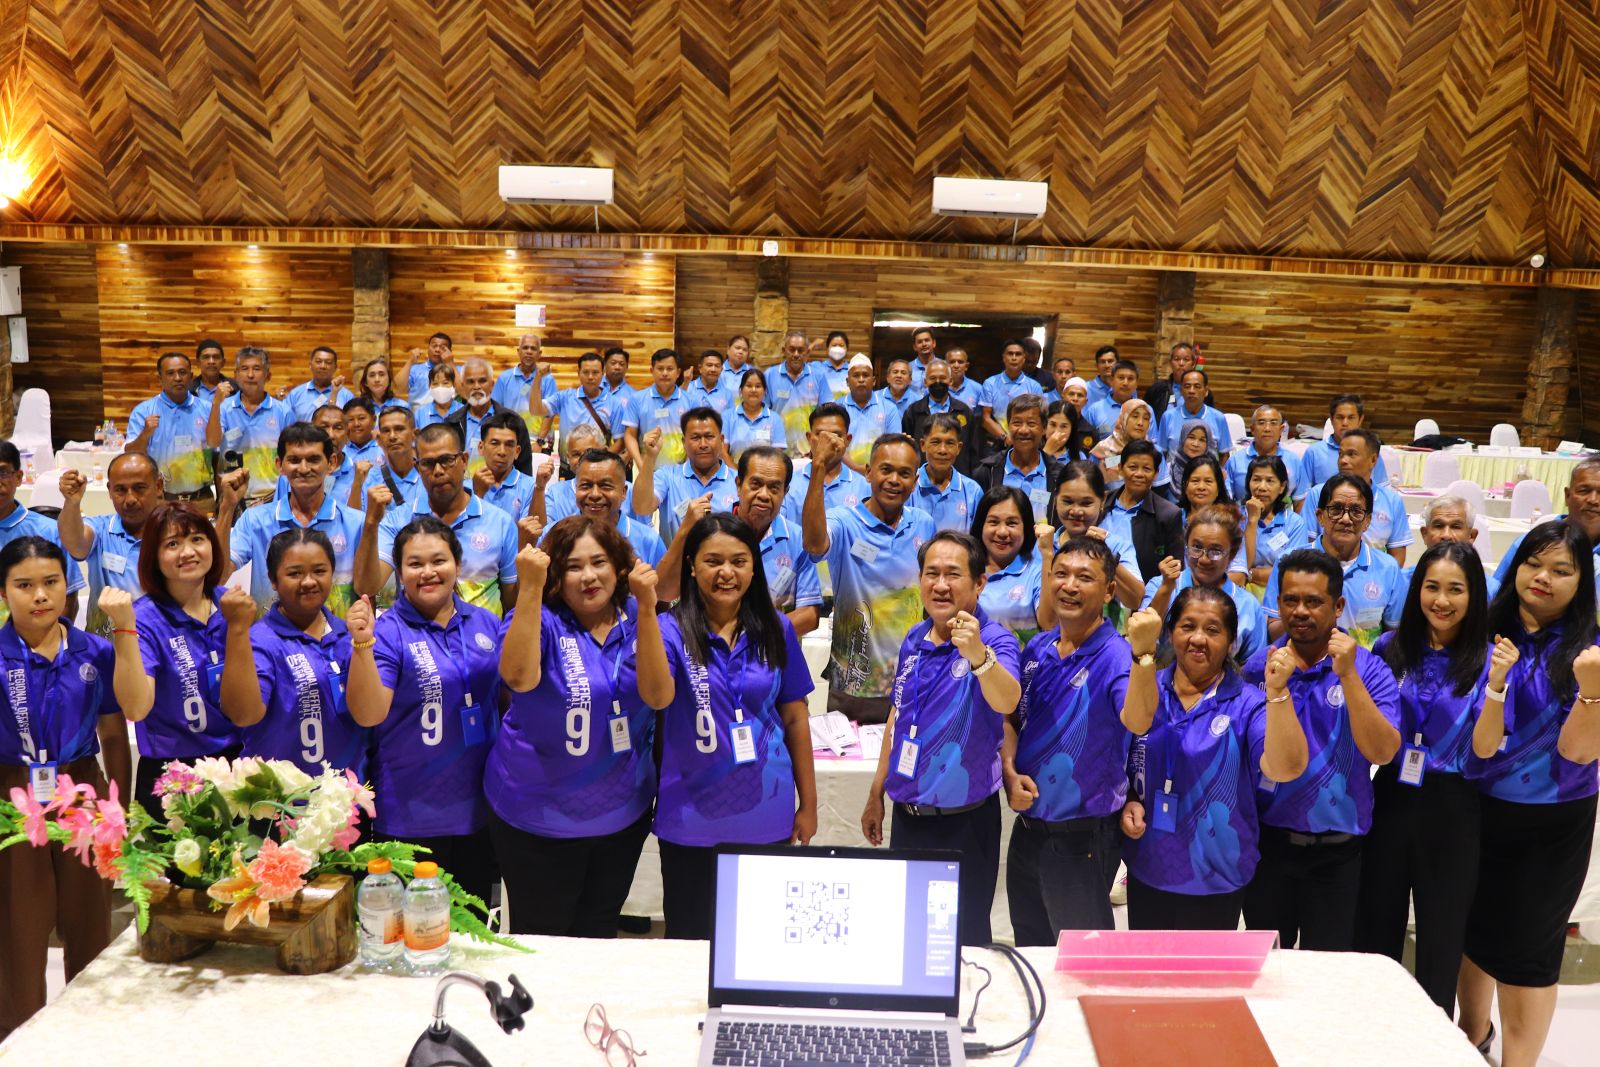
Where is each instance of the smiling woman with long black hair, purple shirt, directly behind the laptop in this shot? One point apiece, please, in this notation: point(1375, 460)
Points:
point(737, 738)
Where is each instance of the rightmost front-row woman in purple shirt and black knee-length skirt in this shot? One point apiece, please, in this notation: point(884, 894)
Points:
point(1535, 753)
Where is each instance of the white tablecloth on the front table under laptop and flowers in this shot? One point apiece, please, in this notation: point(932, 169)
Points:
point(231, 1005)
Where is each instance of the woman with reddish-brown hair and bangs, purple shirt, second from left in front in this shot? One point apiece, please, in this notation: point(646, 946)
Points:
point(170, 647)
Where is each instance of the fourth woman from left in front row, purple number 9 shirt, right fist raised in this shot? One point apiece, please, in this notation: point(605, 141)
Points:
point(426, 674)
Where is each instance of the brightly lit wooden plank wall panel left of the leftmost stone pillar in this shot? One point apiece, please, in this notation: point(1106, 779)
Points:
point(159, 298)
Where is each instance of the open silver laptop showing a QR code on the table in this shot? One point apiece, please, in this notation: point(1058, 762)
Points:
point(834, 956)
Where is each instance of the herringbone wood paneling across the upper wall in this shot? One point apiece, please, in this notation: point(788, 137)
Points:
point(1434, 130)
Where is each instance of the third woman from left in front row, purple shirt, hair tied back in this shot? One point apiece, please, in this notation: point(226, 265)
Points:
point(284, 677)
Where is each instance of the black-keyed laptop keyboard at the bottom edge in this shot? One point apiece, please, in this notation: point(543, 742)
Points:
point(802, 1045)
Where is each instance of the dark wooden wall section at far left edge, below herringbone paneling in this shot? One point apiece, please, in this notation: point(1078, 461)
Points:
point(62, 305)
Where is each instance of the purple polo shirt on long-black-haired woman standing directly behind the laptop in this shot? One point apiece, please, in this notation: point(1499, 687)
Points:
point(708, 799)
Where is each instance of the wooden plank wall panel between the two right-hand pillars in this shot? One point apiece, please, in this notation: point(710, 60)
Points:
point(1458, 354)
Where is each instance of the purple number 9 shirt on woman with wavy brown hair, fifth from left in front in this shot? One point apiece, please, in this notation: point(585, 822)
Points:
point(556, 767)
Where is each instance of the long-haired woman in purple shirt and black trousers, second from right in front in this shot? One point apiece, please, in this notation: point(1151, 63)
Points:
point(1425, 837)
